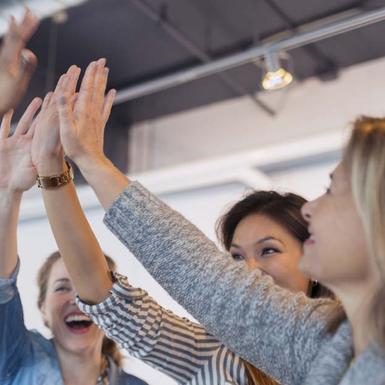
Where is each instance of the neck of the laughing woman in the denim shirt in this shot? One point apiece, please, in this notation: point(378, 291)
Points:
point(80, 368)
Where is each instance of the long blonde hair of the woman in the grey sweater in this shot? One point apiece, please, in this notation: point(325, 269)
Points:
point(364, 158)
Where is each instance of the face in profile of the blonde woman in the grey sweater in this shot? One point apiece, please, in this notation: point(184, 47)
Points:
point(336, 253)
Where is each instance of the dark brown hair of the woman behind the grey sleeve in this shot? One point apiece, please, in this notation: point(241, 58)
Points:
point(284, 209)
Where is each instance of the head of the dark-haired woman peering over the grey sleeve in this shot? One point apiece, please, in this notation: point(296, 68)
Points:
point(271, 209)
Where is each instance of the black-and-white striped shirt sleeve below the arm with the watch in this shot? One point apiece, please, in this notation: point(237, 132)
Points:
point(174, 345)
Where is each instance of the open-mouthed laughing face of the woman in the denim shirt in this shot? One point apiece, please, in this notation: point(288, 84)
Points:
point(72, 330)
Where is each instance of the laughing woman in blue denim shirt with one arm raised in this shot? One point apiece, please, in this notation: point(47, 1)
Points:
point(78, 353)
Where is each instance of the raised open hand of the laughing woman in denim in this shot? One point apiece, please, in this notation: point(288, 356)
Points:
point(17, 172)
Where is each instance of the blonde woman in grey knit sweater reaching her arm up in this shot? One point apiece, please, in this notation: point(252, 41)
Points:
point(292, 338)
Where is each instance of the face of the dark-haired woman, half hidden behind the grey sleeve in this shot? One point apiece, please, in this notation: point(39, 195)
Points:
point(264, 244)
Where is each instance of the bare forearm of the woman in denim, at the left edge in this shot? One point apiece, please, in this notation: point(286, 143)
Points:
point(9, 215)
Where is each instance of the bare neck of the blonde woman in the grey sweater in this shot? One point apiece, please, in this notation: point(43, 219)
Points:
point(356, 300)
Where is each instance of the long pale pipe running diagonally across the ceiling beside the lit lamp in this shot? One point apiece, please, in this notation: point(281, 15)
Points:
point(285, 44)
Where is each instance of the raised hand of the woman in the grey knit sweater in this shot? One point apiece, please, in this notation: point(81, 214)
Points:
point(82, 121)
